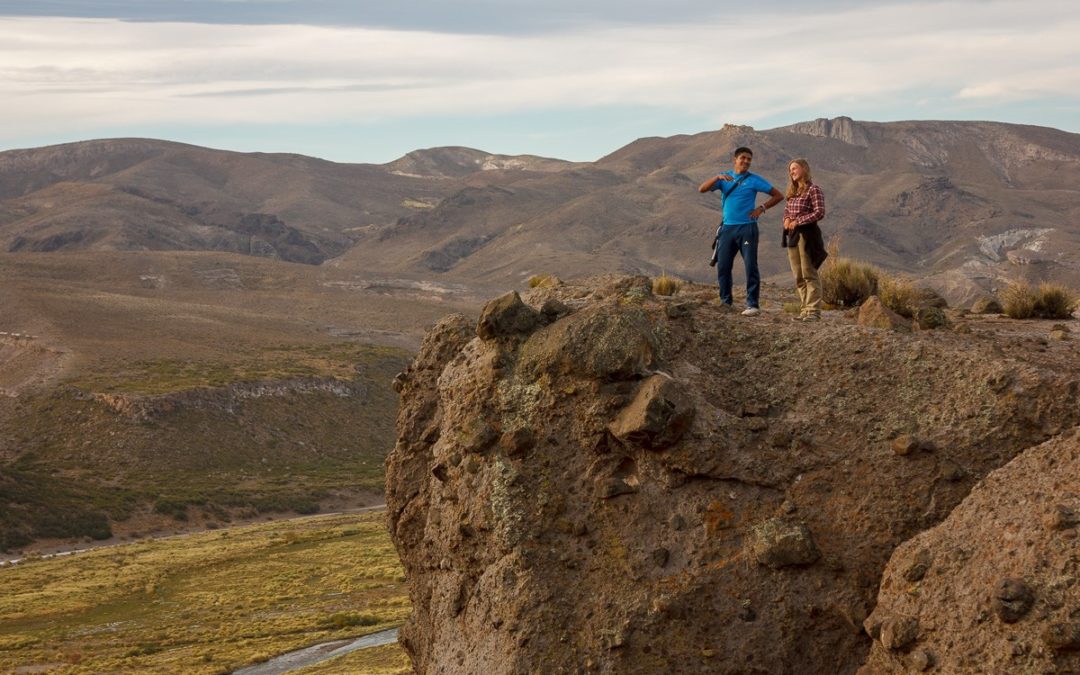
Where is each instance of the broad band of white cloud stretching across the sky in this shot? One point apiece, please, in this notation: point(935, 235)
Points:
point(745, 69)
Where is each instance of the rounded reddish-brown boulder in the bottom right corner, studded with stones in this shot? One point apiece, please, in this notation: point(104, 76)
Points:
point(998, 583)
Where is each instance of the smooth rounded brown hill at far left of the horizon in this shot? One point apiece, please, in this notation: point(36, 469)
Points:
point(139, 195)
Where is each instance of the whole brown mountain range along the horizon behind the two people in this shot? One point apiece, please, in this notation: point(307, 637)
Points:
point(964, 206)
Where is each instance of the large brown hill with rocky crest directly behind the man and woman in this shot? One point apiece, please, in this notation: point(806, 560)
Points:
point(966, 205)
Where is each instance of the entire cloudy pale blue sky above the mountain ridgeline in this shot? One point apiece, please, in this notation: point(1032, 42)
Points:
point(371, 80)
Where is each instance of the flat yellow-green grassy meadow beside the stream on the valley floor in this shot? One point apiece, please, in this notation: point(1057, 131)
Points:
point(210, 602)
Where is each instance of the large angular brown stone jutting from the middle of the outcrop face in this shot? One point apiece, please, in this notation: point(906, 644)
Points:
point(657, 417)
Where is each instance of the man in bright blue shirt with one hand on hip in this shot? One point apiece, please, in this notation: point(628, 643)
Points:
point(739, 227)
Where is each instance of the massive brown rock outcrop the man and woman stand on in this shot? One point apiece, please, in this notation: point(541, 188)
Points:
point(597, 495)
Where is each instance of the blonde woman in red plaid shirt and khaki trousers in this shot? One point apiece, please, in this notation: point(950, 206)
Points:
point(806, 249)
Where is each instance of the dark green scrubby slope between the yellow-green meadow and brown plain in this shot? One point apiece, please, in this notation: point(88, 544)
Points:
point(213, 457)
